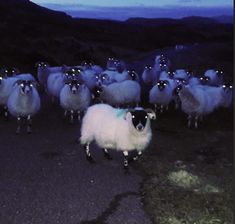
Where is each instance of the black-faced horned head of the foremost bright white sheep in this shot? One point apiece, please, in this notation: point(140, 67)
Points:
point(139, 118)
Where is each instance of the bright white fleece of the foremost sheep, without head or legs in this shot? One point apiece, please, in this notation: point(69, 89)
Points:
point(102, 125)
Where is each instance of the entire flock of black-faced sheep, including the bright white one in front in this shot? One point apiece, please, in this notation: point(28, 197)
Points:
point(109, 99)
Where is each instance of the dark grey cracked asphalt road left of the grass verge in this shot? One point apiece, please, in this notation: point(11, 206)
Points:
point(45, 178)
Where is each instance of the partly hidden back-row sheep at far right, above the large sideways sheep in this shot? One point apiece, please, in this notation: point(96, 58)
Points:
point(213, 77)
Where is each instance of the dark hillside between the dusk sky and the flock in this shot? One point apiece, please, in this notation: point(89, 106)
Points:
point(30, 33)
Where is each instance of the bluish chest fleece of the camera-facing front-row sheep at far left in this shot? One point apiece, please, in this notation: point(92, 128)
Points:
point(23, 104)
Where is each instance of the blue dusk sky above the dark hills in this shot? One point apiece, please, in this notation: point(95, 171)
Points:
point(104, 9)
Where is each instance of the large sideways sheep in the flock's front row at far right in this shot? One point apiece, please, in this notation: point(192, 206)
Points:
point(200, 100)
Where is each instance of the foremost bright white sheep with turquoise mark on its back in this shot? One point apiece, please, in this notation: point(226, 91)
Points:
point(123, 130)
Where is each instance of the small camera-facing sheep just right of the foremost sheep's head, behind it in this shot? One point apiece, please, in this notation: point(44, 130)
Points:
point(161, 94)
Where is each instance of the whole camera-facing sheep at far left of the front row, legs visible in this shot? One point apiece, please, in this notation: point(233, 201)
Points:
point(24, 102)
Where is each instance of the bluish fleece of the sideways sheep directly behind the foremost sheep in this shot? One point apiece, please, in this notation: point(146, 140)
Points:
point(121, 93)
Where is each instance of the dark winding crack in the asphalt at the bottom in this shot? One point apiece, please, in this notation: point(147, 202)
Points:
point(114, 204)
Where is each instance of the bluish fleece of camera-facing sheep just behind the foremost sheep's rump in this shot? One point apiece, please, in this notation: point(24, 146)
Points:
point(79, 101)
